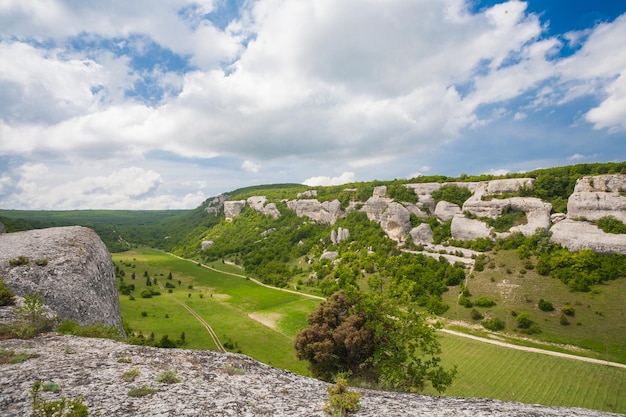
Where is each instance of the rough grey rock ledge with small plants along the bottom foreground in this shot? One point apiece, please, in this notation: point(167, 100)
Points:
point(92, 368)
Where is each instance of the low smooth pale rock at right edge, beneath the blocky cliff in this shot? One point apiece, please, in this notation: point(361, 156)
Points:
point(577, 235)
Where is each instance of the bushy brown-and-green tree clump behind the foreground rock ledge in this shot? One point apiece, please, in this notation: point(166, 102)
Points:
point(376, 340)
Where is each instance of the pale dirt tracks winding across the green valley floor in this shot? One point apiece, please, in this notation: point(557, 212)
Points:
point(452, 332)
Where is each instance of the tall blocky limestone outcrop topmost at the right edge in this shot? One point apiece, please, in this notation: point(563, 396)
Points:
point(598, 196)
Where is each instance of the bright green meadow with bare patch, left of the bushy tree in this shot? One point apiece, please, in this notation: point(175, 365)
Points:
point(235, 308)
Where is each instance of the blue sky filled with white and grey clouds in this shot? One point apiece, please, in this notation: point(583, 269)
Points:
point(161, 104)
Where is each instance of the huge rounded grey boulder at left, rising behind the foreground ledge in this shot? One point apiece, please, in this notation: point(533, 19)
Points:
point(69, 267)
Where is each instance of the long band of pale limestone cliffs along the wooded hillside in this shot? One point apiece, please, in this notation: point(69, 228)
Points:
point(593, 198)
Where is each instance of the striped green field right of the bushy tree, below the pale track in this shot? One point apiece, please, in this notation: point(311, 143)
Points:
point(489, 371)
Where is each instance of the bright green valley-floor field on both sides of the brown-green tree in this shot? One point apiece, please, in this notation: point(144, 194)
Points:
point(261, 322)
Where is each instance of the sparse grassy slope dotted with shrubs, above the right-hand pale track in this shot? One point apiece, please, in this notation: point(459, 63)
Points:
point(599, 322)
